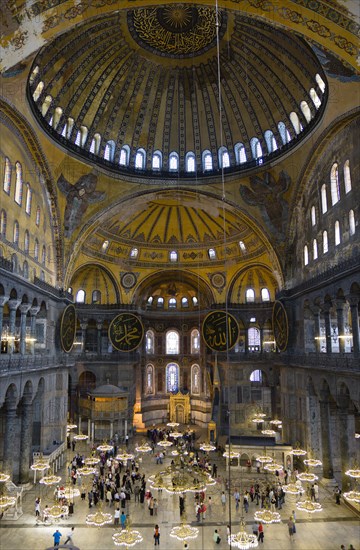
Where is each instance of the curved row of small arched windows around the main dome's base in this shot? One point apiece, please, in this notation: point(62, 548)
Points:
point(80, 136)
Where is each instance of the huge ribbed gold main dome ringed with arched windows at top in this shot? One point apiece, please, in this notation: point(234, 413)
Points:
point(137, 91)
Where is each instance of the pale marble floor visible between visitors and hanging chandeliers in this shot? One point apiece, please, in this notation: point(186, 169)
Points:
point(326, 530)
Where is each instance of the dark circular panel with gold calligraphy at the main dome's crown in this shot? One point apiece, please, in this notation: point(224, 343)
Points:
point(178, 30)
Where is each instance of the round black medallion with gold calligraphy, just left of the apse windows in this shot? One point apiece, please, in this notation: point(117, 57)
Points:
point(126, 332)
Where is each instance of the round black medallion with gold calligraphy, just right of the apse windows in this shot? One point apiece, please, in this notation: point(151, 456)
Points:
point(220, 331)
